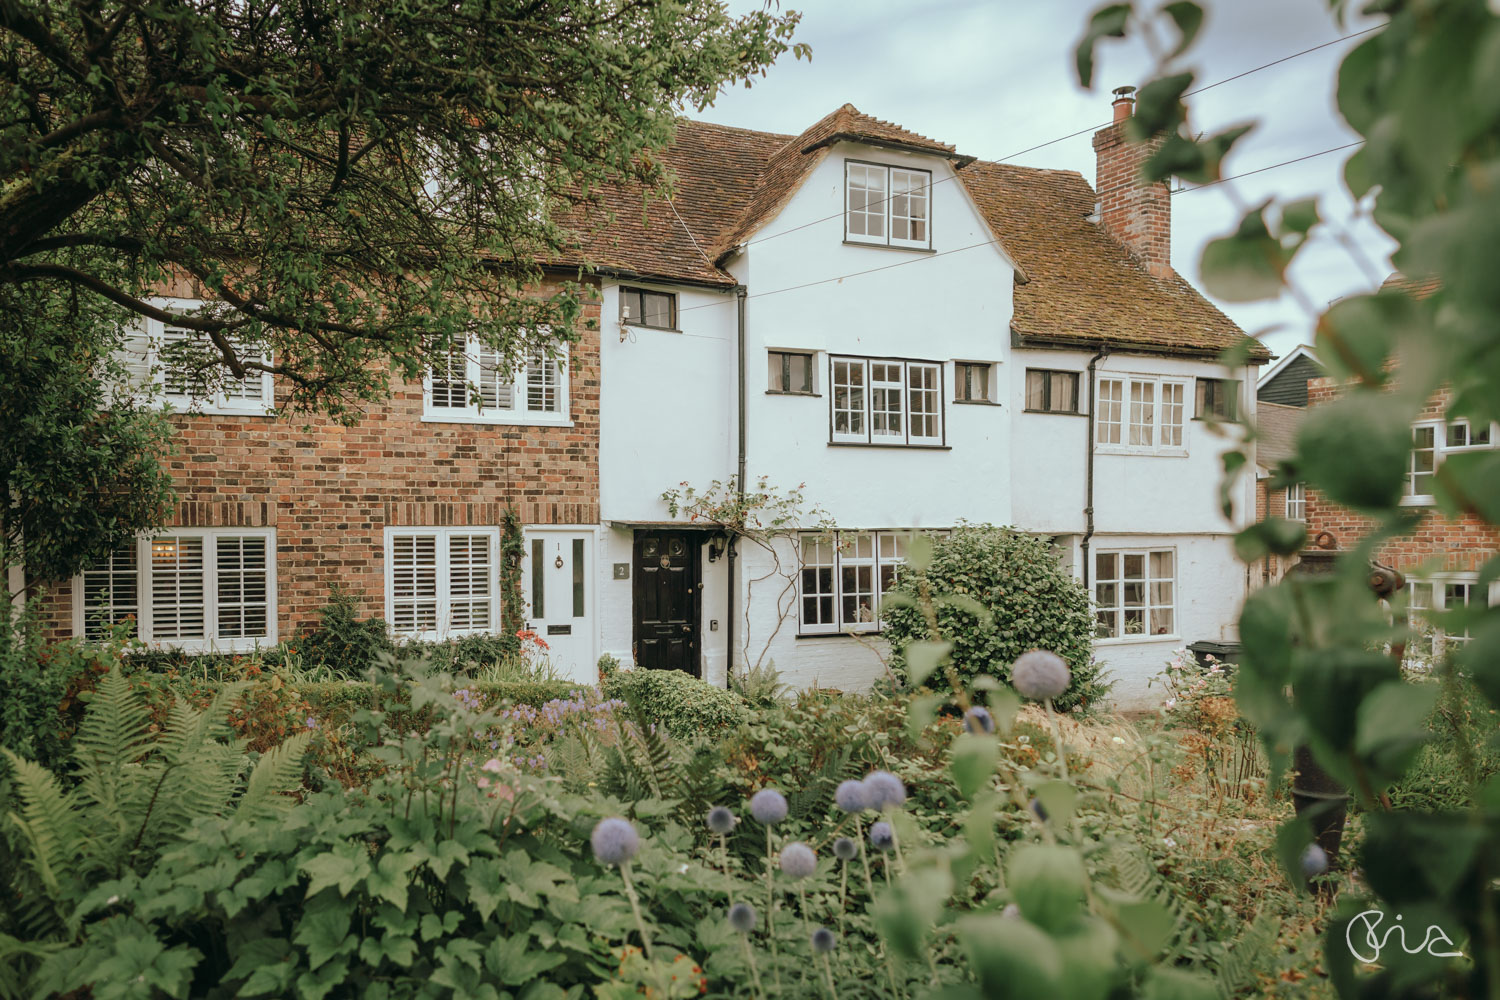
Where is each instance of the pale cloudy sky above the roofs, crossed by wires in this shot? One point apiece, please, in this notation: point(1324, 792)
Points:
point(995, 79)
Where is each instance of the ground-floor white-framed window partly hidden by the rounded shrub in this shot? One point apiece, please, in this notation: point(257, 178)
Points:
point(845, 576)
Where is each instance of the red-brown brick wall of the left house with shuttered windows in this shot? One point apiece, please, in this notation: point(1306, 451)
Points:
point(331, 491)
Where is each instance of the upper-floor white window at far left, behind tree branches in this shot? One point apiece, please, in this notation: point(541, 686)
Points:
point(181, 367)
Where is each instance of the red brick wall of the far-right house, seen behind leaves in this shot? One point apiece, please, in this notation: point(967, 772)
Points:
point(1459, 545)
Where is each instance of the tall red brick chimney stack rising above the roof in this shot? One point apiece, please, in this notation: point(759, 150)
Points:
point(1135, 214)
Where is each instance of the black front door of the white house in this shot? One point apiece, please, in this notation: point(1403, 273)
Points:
point(667, 600)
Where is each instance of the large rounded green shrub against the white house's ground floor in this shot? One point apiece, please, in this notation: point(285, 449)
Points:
point(1018, 579)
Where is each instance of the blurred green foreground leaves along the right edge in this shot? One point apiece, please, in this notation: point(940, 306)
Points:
point(1421, 92)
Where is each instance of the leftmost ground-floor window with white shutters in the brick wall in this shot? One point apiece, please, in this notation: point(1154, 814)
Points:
point(200, 590)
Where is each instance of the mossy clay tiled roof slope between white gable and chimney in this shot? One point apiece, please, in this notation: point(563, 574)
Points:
point(1084, 286)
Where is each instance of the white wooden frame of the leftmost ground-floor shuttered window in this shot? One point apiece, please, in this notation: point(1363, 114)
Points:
point(211, 641)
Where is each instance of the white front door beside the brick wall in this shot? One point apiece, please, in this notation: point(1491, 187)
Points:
point(557, 582)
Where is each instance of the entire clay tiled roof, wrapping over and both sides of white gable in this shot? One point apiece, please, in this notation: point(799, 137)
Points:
point(1076, 286)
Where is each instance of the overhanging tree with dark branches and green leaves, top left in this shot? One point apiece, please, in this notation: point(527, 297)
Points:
point(352, 185)
